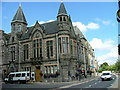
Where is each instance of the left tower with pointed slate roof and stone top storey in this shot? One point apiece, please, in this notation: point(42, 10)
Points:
point(19, 23)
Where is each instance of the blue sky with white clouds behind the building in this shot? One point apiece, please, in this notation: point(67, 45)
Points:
point(97, 20)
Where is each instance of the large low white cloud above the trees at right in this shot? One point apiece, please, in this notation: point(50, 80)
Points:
point(103, 46)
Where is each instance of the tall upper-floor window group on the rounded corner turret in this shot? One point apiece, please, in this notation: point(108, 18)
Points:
point(63, 45)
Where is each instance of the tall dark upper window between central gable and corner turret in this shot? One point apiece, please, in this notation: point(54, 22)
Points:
point(49, 45)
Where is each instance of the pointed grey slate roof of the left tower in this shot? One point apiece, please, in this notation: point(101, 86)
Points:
point(19, 16)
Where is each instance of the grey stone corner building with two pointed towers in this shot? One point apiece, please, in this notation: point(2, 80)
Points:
point(54, 50)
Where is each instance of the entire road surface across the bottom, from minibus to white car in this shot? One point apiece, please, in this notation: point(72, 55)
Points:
point(82, 85)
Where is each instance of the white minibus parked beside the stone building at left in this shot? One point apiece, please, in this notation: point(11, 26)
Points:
point(20, 77)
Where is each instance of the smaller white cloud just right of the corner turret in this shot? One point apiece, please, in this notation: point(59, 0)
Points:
point(84, 27)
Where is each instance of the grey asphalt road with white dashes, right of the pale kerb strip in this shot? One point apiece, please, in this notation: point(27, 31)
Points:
point(95, 84)
